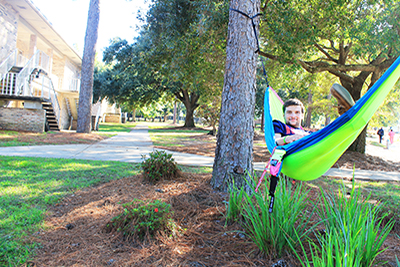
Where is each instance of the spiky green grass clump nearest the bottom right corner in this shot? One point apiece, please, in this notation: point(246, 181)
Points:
point(354, 231)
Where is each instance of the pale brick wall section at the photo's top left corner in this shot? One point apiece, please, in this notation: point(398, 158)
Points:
point(8, 29)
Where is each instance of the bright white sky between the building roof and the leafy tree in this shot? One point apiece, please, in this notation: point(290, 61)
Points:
point(69, 19)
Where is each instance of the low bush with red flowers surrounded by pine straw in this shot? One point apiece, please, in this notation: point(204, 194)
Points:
point(141, 220)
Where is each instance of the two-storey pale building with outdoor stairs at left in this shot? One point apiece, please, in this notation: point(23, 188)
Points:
point(39, 72)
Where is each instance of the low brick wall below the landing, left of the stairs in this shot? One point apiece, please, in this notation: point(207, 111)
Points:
point(21, 119)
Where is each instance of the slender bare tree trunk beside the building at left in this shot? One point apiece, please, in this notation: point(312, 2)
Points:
point(89, 53)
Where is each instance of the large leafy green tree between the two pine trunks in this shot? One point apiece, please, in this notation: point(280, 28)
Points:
point(178, 52)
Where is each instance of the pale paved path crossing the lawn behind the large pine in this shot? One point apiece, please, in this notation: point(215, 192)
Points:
point(129, 147)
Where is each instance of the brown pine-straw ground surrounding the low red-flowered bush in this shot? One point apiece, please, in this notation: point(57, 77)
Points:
point(76, 235)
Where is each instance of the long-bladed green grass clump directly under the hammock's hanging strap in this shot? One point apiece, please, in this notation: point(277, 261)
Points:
point(276, 232)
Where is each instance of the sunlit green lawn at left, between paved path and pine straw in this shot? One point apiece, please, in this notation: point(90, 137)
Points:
point(29, 185)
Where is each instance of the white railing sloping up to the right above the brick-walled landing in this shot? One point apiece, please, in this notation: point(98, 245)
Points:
point(39, 61)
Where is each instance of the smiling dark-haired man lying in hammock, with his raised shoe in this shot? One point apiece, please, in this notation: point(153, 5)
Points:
point(293, 112)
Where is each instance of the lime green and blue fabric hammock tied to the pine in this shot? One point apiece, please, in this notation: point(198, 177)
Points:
point(311, 156)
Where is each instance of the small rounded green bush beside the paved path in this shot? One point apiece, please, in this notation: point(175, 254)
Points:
point(158, 166)
